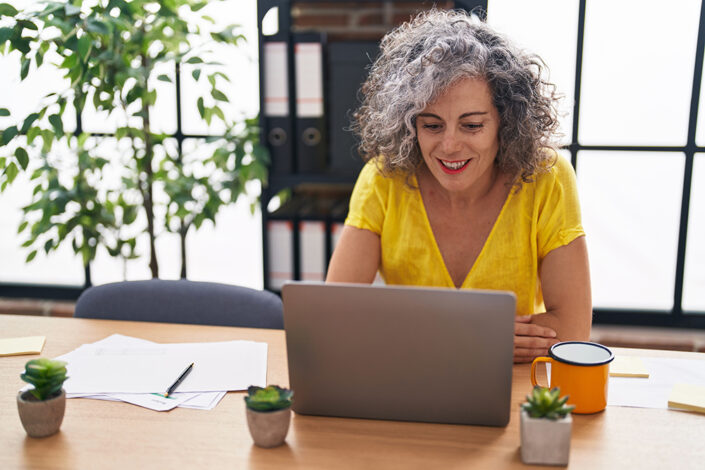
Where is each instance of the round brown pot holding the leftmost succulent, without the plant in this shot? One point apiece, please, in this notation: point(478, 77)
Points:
point(41, 418)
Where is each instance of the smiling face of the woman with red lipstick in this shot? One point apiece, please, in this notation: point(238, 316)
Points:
point(458, 135)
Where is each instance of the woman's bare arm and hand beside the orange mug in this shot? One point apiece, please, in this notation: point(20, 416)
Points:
point(565, 282)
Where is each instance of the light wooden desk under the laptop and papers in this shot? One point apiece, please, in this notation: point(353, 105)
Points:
point(101, 434)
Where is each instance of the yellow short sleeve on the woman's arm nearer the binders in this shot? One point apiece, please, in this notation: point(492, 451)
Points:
point(369, 200)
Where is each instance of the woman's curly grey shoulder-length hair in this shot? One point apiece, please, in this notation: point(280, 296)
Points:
point(423, 57)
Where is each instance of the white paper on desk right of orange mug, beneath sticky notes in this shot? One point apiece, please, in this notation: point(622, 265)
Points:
point(652, 392)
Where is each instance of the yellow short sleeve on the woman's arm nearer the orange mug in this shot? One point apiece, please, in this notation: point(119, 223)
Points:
point(559, 219)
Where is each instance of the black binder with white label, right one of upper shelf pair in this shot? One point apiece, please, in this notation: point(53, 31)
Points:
point(311, 135)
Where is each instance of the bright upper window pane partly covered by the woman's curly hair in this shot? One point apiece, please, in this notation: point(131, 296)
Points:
point(552, 35)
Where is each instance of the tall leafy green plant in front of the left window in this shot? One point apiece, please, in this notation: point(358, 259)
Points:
point(113, 52)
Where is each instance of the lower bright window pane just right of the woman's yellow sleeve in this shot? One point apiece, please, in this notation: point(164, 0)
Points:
point(631, 212)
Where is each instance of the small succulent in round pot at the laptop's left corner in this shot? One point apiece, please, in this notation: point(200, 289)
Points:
point(268, 414)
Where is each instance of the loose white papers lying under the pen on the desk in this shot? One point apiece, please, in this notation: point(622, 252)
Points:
point(138, 371)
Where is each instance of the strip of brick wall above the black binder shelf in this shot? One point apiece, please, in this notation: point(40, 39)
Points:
point(367, 21)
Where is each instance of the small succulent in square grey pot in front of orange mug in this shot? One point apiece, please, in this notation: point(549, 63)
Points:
point(545, 427)
